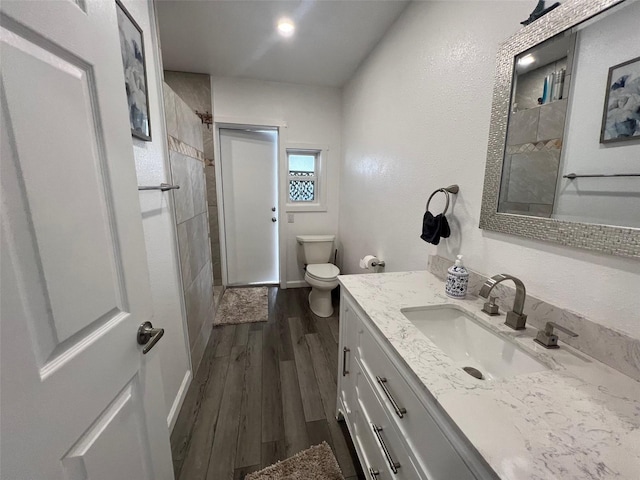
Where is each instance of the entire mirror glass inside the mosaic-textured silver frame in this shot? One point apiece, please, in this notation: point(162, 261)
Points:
point(557, 119)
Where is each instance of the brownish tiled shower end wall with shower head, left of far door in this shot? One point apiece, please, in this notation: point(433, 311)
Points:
point(195, 90)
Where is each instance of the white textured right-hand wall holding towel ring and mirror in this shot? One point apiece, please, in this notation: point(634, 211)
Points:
point(416, 117)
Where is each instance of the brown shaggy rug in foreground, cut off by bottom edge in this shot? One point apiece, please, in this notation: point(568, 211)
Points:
point(315, 463)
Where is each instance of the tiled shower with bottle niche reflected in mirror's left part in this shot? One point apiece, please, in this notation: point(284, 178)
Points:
point(540, 92)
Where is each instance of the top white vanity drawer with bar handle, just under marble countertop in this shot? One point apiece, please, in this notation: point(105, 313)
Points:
point(428, 444)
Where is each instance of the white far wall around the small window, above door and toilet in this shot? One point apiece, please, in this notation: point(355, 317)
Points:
point(313, 116)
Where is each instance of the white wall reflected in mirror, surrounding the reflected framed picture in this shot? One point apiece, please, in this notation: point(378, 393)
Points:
point(600, 46)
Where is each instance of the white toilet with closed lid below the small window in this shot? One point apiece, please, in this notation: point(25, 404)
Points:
point(316, 252)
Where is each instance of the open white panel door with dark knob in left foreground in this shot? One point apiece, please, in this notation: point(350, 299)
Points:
point(79, 399)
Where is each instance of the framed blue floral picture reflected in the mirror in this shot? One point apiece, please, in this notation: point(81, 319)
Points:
point(620, 120)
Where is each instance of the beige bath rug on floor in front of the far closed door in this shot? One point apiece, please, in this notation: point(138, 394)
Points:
point(243, 305)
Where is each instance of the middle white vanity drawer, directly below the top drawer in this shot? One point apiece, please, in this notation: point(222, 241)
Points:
point(390, 456)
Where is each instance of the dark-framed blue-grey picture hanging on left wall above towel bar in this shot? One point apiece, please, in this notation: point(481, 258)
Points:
point(135, 73)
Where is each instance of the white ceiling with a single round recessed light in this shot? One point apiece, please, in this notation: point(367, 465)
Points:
point(238, 38)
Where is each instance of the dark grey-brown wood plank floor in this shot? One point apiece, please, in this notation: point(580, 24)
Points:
point(263, 392)
